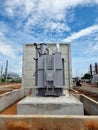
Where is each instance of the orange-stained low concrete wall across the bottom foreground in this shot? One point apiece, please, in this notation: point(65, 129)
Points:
point(48, 123)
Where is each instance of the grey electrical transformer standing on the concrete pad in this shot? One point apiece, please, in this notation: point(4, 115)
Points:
point(49, 75)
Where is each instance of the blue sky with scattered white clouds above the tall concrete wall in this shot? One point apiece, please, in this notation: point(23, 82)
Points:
point(50, 21)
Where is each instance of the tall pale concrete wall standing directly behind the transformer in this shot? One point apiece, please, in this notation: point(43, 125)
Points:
point(28, 78)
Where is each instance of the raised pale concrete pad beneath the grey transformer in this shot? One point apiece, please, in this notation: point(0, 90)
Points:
point(50, 106)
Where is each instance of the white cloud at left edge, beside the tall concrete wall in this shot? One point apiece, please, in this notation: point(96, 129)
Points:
point(7, 47)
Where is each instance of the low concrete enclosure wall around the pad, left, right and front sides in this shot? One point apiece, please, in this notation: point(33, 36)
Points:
point(48, 122)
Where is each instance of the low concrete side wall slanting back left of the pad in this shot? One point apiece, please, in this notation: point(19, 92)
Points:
point(9, 98)
